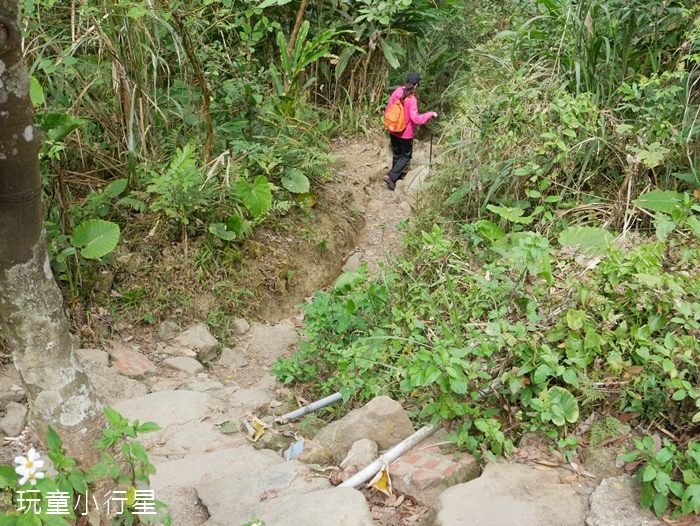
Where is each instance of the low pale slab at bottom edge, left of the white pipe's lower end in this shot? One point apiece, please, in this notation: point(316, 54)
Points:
point(334, 506)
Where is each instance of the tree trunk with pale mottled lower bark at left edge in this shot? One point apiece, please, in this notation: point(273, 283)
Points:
point(31, 305)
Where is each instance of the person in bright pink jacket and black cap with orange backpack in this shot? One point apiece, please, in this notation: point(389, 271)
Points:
point(402, 143)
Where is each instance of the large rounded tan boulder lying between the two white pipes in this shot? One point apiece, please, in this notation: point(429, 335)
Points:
point(382, 420)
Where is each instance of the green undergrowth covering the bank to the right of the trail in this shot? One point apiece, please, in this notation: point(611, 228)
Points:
point(553, 277)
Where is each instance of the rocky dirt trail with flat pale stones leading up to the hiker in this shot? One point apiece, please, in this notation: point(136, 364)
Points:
point(213, 469)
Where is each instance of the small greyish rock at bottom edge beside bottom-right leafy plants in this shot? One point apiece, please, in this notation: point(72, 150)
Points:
point(615, 502)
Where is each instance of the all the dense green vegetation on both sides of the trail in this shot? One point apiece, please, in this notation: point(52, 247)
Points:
point(551, 274)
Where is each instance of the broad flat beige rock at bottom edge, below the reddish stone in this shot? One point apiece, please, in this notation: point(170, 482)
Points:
point(510, 494)
